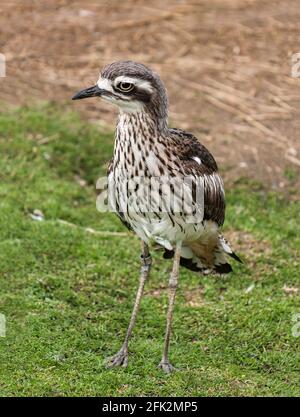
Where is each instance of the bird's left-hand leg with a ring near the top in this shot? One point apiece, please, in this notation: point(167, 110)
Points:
point(121, 358)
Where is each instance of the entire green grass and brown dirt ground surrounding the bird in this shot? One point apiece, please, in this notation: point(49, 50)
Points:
point(68, 273)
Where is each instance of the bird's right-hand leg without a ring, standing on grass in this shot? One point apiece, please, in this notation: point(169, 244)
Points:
point(165, 364)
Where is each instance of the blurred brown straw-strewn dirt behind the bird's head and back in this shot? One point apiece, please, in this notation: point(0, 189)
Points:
point(226, 63)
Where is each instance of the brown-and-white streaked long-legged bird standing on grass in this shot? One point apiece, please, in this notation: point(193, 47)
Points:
point(186, 208)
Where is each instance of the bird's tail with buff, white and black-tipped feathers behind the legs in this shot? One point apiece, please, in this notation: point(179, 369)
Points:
point(208, 257)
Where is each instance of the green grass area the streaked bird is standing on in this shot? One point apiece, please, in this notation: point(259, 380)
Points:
point(67, 294)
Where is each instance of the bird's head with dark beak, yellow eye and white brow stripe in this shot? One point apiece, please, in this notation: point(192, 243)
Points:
point(132, 87)
